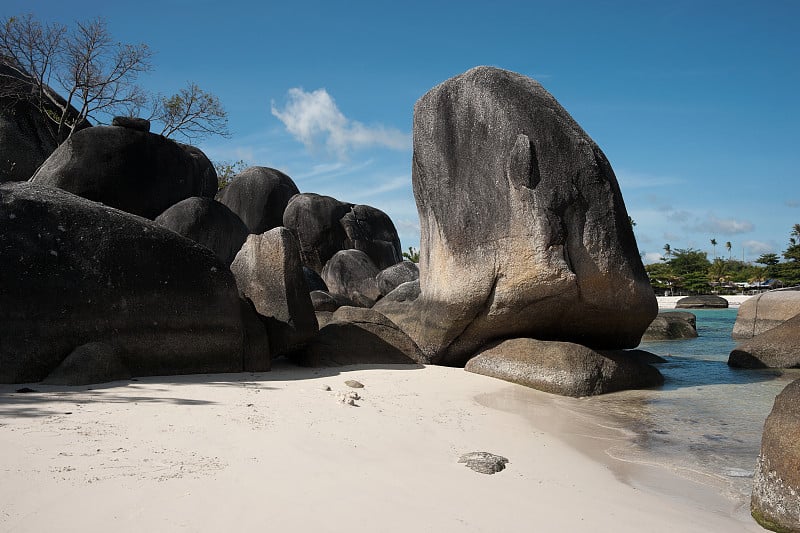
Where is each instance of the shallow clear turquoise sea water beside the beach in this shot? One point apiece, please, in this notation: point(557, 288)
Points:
point(707, 419)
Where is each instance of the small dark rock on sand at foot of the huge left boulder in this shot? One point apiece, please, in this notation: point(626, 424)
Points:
point(94, 362)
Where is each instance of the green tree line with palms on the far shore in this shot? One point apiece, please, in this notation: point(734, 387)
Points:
point(687, 270)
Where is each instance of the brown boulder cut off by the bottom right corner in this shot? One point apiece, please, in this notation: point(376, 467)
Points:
point(775, 502)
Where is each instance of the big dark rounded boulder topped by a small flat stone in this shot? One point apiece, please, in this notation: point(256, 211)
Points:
point(132, 170)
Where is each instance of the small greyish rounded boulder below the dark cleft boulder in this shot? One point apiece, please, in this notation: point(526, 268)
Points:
point(351, 273)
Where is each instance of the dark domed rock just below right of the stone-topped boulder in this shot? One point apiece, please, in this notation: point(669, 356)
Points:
point(209, 223)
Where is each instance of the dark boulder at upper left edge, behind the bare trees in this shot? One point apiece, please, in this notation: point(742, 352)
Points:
point(27, 137)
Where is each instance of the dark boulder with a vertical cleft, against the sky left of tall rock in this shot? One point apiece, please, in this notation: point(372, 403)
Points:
point(324, 225)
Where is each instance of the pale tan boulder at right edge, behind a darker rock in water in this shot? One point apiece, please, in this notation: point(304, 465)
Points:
point(765, 311)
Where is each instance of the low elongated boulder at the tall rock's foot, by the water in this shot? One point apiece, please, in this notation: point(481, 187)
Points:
point(563, 368)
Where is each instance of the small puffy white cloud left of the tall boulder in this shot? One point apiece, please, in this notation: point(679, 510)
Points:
point(313, 118)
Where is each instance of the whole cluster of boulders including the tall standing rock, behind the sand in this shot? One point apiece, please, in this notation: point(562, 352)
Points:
point(120, 258)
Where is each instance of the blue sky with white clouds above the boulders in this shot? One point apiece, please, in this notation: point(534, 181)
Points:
point(694, 103)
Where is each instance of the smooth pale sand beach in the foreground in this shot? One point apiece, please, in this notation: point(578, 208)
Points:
point(278, 452)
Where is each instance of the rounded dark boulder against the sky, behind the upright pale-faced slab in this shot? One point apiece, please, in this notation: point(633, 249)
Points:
point(259, 196)
